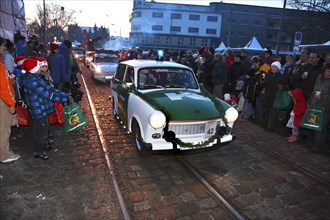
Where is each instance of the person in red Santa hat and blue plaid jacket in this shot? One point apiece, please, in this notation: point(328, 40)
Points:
point(39, 98)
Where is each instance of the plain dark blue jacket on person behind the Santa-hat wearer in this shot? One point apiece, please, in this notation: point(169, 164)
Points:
point(61, 68)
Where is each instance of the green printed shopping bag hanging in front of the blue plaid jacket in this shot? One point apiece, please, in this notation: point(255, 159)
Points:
point(73, 116)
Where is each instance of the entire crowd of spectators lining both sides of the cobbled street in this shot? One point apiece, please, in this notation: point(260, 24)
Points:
point(34, 77)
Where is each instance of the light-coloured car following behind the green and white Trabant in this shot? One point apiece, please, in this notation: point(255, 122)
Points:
point(103, 65)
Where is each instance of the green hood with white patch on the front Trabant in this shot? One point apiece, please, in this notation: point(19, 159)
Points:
point(185, 104)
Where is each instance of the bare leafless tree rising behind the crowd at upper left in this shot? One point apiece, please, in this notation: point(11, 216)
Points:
point(57, 21)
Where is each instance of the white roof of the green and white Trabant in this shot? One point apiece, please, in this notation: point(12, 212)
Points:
point(152, 63)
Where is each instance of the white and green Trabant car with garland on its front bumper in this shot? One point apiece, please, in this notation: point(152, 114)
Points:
point(164, 107)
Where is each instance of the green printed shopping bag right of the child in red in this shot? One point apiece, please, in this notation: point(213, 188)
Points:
point(313, 117)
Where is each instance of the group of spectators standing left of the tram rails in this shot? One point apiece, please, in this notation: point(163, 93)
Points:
point(33, 78)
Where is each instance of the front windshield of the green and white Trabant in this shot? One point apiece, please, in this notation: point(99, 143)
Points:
point(150, 78)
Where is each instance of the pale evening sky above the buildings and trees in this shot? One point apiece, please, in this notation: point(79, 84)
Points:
point(114, 14)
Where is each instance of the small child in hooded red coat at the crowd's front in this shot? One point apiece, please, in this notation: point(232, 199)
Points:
point(299, 109)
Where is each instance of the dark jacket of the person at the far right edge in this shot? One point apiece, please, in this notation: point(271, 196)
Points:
point(322, 85)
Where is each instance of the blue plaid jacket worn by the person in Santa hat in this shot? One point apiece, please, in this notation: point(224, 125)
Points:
point(40, 96)
